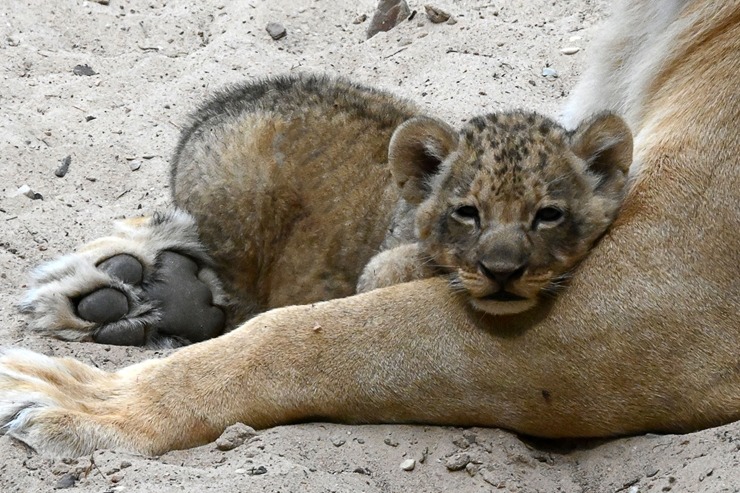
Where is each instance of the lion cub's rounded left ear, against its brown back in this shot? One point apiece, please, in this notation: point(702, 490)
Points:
point(417, 149)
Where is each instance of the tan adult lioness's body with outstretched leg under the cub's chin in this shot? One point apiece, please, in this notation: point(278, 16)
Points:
point(645, 339)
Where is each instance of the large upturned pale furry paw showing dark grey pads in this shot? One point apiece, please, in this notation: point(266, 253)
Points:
point(151, 283)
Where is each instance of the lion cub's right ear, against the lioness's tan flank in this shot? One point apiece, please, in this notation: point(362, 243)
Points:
point(604, 142)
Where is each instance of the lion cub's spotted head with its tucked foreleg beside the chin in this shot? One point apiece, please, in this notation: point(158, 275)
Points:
point(506, 207)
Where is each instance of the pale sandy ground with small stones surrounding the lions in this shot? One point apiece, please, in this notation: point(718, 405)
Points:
point(151, 62)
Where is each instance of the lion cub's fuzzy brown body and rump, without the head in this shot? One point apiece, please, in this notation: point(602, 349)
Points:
point(277, 174)
